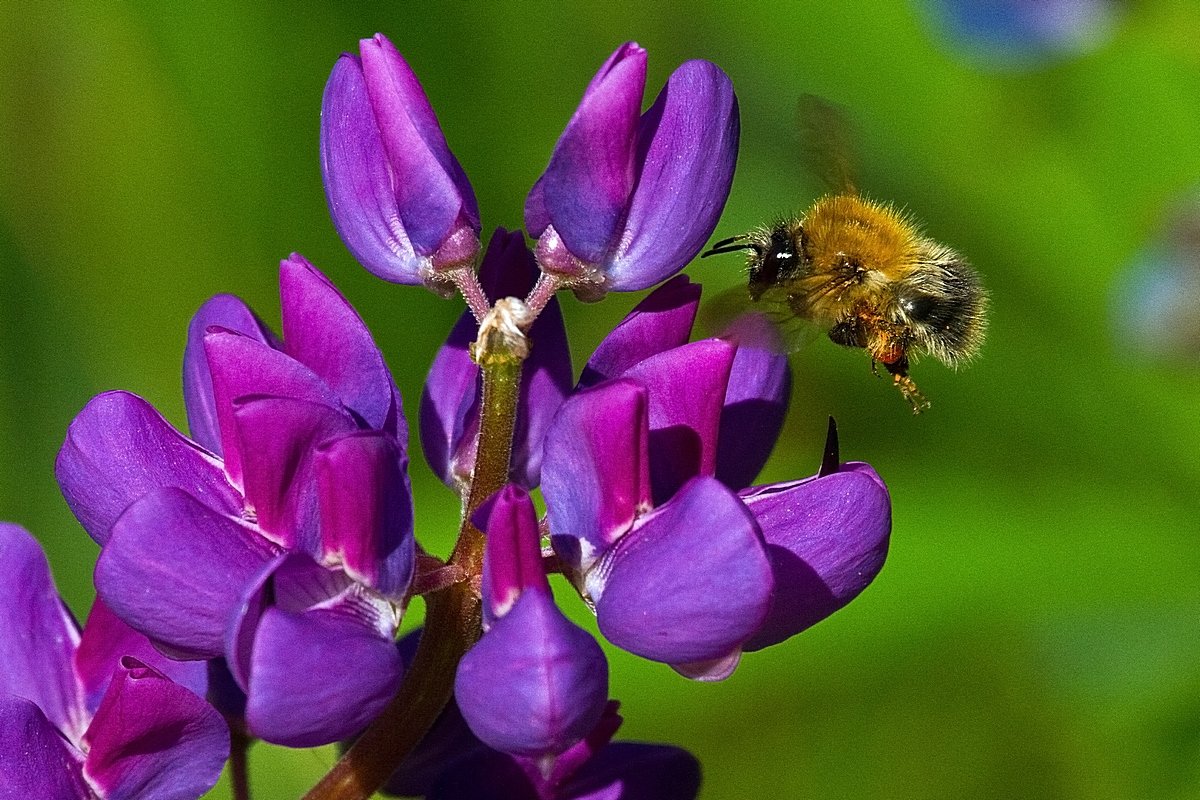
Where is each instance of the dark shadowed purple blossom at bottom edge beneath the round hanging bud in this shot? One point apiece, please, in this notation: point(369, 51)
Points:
point(595, 769)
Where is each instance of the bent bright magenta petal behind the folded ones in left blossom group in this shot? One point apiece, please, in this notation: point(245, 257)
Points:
point(243, 366)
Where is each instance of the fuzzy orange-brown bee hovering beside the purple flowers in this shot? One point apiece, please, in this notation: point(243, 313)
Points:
point(865, 272)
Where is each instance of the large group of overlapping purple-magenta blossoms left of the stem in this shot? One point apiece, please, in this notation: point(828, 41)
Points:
point(281, 538)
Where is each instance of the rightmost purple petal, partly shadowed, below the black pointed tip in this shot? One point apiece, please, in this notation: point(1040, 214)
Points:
point(827, 539)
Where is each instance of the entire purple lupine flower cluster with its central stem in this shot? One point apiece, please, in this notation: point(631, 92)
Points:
point(265, 562)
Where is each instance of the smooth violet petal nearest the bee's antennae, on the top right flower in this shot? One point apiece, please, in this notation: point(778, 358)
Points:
point(688, 147)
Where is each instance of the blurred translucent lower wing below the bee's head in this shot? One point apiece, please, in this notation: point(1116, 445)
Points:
point(767, 323)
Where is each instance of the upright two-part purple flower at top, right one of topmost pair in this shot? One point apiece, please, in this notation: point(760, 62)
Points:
point(629, 199)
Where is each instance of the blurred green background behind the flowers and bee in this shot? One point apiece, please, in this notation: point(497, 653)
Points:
point(1034, 634)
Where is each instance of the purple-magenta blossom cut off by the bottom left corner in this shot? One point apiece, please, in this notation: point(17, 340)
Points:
point(99, 715)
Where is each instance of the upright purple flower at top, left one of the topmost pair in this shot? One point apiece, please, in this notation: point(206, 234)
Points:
point(399, 199)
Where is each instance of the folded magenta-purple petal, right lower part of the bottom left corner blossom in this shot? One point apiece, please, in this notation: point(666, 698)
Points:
point(153, 738)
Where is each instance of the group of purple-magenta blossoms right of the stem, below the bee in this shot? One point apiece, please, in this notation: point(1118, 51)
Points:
point(679, 566)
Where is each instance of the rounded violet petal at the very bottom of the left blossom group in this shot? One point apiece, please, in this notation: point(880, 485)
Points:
point(319, 677)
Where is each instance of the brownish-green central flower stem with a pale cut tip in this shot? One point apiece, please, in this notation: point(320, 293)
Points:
point(453, 618)
